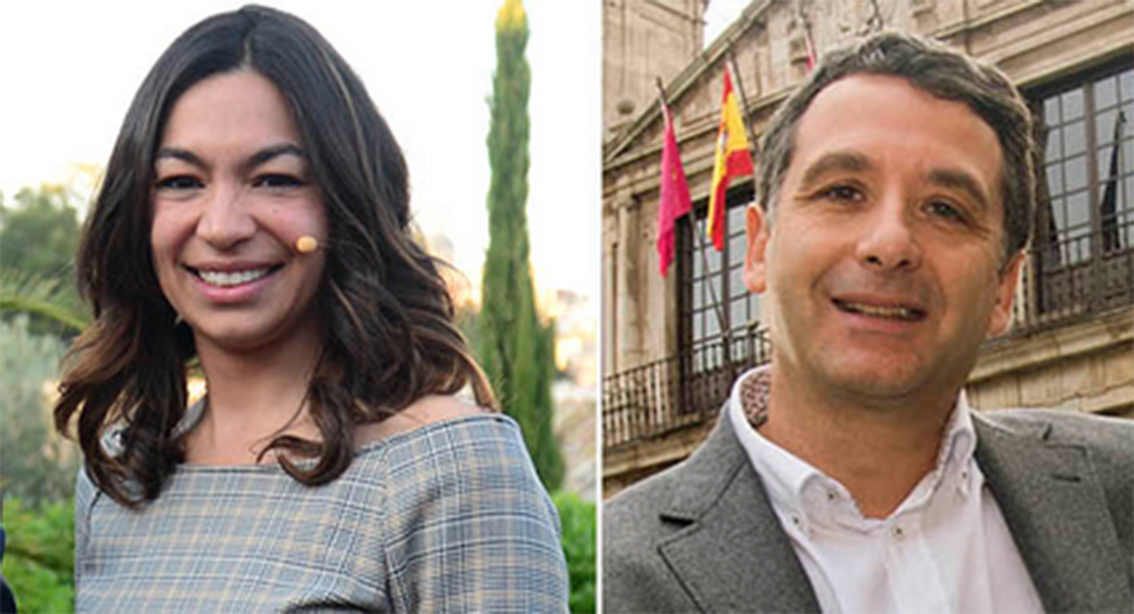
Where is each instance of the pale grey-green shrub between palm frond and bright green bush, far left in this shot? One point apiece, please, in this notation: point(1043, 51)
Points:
point(36, 465)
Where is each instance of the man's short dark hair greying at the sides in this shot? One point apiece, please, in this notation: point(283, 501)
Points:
point(941, 72)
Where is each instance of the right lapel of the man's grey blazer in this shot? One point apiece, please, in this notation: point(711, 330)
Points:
point(1057, 514)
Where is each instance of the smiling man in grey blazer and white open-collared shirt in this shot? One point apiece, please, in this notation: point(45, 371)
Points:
point(850, 476)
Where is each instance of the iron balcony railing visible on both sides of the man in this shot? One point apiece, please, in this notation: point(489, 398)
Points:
point(1065, 282)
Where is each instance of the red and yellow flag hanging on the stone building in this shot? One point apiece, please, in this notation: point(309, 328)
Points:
point(733, 161)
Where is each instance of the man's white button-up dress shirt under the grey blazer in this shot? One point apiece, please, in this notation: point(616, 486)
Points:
point(946, 549)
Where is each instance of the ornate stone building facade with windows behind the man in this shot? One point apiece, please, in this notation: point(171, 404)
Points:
point(673, 346)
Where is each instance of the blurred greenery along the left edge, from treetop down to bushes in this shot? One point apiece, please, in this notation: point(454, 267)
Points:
point(39, 237)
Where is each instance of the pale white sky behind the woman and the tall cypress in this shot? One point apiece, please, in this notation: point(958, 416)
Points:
point(69, 72)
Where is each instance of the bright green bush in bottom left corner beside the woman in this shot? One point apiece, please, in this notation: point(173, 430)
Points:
point(40, 559)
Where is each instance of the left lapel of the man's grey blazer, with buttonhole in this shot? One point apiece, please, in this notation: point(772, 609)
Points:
point(732, 556)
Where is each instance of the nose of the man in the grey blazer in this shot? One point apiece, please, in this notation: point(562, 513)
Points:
point(888, 241)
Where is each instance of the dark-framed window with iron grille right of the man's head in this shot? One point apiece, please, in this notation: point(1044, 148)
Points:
point(1085, 239)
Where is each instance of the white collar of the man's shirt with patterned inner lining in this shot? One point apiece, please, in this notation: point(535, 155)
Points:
point(803, 493)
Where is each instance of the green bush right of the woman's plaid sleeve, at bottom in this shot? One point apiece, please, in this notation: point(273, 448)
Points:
point(578, 520)
